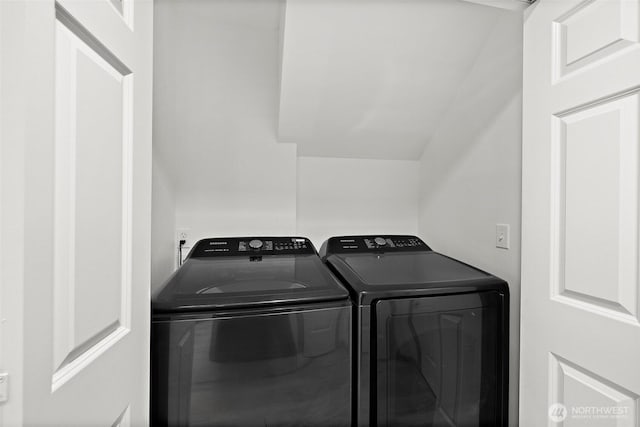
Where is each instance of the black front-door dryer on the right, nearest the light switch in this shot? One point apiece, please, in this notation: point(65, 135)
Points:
point(431, 334)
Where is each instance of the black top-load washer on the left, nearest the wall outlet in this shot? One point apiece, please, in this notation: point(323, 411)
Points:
point(251, 332)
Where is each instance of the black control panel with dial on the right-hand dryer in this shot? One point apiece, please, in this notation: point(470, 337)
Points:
point(373, 243)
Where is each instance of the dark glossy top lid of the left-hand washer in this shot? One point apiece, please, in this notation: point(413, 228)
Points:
point(256, 279)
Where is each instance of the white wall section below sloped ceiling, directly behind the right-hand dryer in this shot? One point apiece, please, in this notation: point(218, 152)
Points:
point(356, 196)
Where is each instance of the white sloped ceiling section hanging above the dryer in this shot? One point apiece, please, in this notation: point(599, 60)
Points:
point(373, 78)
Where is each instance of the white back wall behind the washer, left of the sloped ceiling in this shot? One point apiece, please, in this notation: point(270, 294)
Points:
point(216, 103)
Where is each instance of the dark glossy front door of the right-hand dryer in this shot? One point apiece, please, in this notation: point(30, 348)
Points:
point(440, 361)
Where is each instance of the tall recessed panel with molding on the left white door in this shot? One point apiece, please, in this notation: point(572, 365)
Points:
point(94, 104)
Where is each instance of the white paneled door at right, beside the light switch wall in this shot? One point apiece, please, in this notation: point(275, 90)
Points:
point(580, 348)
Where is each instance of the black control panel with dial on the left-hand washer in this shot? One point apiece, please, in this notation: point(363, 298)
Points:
point(239, 246)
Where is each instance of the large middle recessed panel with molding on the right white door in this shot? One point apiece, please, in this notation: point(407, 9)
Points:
point(610, 174)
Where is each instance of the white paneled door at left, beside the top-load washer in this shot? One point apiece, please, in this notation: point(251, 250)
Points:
point(75, 191)
